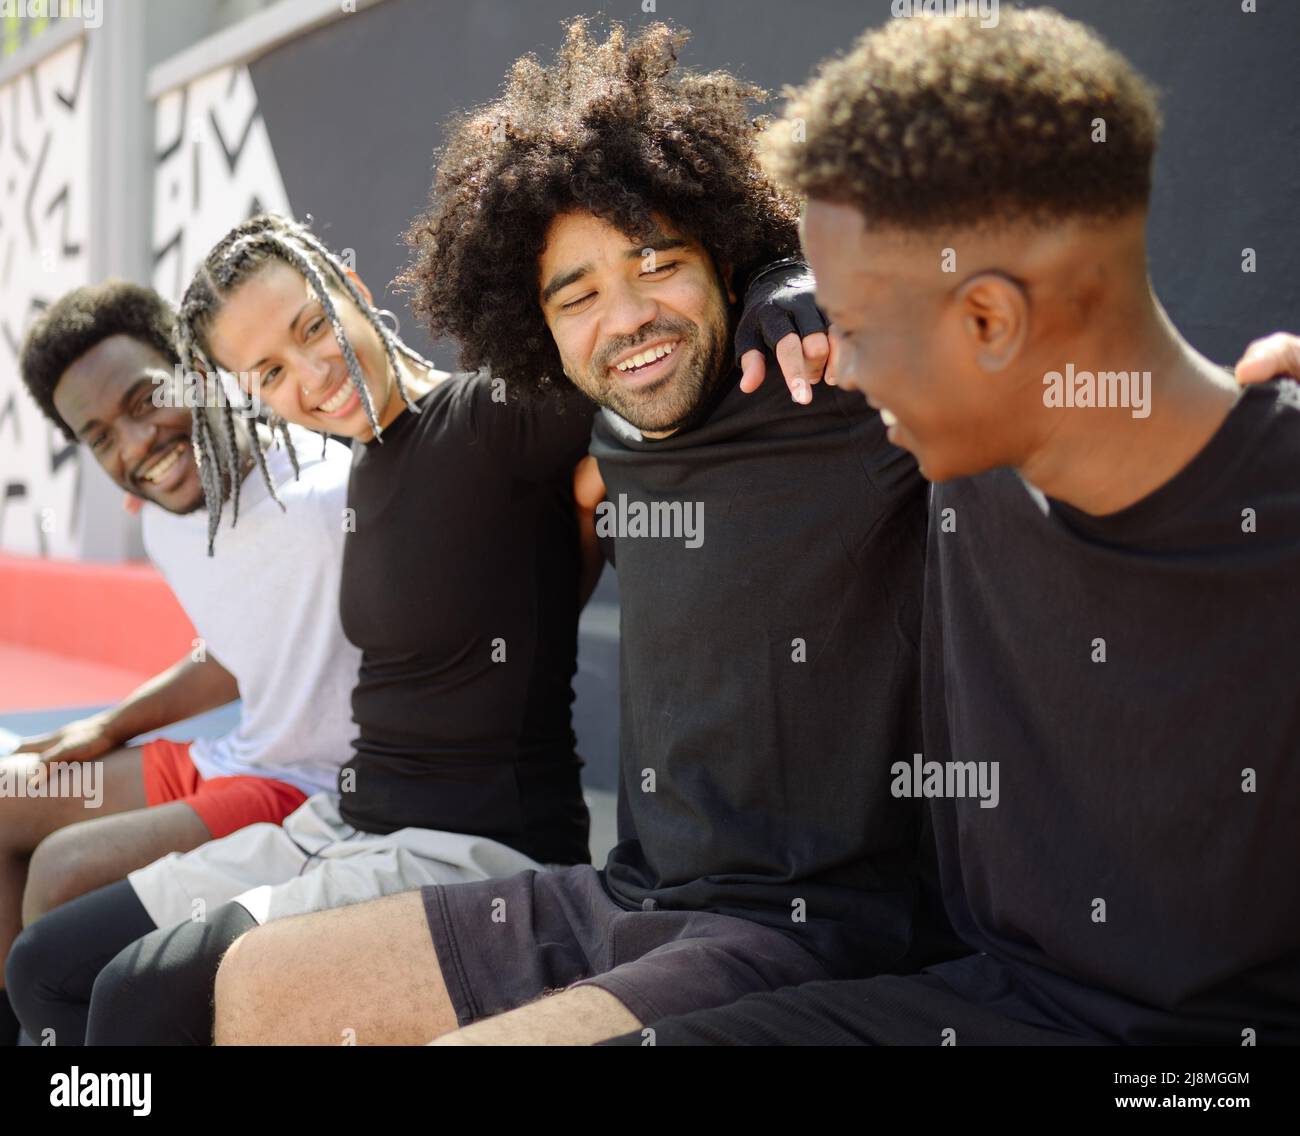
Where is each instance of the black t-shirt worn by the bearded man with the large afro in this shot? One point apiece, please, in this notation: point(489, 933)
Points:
point(770, 675)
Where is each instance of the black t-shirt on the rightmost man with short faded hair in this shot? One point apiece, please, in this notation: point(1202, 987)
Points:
point(1133, 675)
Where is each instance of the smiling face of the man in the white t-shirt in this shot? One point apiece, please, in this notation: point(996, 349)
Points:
point(107, 398)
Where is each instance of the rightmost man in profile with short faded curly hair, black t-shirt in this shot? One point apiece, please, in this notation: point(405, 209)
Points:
point(1111, 610)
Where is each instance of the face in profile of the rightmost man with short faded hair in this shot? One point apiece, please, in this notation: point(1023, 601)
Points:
point(907, 339)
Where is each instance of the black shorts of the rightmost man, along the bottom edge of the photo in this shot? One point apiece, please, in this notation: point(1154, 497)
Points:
point(983, 1009)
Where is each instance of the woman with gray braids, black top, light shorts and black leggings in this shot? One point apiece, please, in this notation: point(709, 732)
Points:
point(461, 587)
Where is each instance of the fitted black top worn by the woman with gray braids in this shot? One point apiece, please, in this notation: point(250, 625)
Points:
point(461, 588)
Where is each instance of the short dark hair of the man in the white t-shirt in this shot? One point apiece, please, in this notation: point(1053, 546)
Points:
point(79, 322)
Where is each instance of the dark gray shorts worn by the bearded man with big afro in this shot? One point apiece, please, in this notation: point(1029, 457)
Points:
point(505, 943)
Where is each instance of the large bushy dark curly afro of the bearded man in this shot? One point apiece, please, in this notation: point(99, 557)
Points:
point(614, 129)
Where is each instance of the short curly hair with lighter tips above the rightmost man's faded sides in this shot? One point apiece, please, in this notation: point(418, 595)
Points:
point(931, 119)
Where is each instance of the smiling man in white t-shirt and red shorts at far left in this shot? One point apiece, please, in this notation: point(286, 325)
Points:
point(101, 363)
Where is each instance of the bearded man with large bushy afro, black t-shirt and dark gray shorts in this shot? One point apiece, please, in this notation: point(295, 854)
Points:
point(593, 229)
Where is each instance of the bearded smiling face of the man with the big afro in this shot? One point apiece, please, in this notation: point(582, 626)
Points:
point(642, 327)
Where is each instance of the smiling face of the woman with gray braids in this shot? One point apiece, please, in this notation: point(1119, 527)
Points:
point(274, 333)
